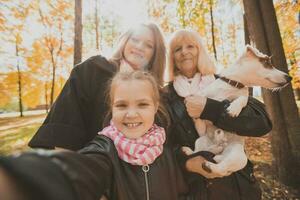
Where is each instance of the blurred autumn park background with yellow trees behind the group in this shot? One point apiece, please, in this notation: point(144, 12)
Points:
point(41, 40)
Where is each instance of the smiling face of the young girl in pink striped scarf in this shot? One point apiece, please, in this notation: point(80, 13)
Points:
point(133, 107)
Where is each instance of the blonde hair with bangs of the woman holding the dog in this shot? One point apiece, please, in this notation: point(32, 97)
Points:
point(206, 65)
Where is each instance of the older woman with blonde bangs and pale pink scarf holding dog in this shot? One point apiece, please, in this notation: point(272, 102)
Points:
point(190, 63)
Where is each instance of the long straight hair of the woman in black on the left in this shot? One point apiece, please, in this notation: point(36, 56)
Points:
point(158, 62)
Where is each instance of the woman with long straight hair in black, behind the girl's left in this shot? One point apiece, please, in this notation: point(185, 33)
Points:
point(78, 114)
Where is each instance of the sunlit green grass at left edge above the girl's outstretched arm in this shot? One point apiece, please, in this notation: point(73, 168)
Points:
point(16, 140)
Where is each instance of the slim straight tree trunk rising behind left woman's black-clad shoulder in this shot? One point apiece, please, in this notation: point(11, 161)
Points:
point(78, 32)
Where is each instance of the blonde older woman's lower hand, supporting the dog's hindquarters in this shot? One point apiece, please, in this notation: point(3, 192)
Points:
point(195, 165)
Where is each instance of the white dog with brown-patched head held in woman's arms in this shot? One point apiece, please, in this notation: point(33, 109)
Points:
point(252, 69)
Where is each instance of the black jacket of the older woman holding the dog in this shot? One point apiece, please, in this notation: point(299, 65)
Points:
point(252, 121)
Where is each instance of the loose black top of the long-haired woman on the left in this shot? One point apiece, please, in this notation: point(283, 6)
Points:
point(78, 112)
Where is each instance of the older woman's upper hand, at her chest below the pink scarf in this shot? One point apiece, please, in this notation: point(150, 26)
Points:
point(195, 105)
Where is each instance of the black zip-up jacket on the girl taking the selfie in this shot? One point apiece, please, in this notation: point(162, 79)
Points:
point(97, 170)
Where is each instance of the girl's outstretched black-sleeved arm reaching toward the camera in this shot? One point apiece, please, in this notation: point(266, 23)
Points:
point(61, 176)
